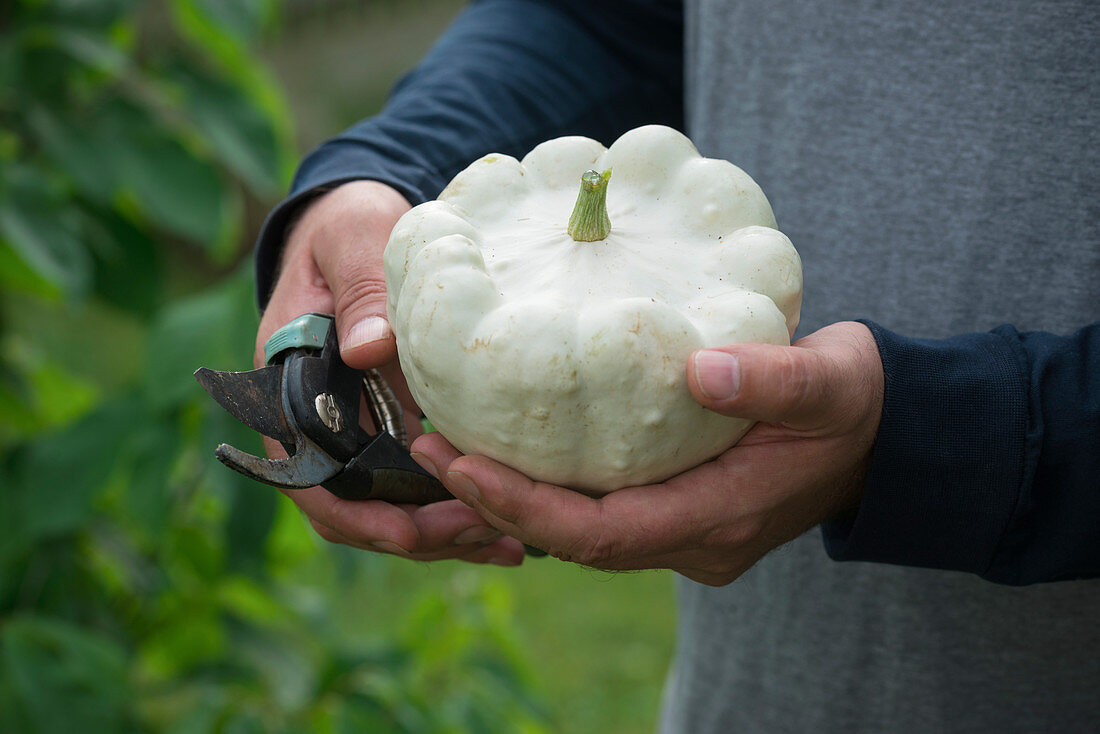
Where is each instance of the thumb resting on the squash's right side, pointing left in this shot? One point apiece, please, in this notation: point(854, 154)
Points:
point(790, 386)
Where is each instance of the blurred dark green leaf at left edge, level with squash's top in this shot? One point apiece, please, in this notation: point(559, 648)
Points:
point(36, 224)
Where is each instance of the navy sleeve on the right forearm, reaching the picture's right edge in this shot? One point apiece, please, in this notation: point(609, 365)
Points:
point(987, 458)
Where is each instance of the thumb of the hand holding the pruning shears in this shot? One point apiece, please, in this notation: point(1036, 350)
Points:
point(348, 248)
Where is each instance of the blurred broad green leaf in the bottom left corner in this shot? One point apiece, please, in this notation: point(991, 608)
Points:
point(67, 680)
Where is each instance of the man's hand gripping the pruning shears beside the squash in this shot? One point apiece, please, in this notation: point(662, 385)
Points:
point(333, 264)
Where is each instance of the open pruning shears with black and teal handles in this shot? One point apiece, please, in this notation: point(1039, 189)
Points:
point(309, 400)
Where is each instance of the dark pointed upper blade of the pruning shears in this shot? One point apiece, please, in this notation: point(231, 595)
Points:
point(252, 398)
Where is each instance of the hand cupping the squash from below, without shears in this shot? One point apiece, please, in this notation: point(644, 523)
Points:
point(818, 404)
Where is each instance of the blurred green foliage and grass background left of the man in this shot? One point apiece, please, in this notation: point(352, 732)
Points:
point(145, 588)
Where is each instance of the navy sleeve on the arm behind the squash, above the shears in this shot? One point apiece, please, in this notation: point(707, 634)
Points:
point(508, 75)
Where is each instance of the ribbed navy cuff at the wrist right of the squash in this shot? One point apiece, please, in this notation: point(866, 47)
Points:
point(948, 466)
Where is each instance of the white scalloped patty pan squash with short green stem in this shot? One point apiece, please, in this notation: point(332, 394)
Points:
point(560, 348)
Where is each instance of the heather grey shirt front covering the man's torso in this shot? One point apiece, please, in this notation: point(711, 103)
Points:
point(937, 166)
